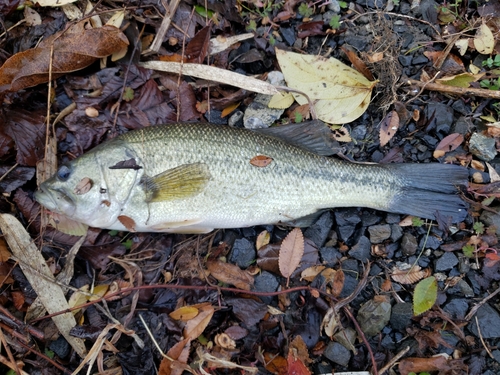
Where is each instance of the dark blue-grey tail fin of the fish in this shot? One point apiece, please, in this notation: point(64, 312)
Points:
point(429, 190)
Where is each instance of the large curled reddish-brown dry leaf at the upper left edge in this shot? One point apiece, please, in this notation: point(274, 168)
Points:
point(74, 49)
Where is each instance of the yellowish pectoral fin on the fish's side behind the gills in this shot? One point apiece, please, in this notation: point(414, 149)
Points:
point(184, 181)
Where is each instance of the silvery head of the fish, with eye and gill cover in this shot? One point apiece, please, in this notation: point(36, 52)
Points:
point(94, 188)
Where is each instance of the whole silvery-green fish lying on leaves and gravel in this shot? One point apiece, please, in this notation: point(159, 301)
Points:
point(196, 177)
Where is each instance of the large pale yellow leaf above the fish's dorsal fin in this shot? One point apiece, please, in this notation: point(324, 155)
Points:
point(340, 93)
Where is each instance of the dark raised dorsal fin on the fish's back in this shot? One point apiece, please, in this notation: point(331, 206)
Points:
point(314, 136)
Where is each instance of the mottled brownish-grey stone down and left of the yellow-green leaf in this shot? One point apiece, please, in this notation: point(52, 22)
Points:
point(373, 316)
